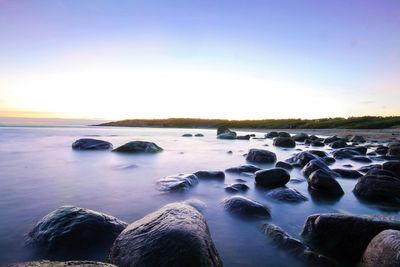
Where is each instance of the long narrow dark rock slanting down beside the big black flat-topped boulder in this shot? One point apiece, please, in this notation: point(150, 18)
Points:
point(294, 247)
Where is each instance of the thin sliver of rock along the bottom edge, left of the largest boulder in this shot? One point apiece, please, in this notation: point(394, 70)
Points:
point(45, 263)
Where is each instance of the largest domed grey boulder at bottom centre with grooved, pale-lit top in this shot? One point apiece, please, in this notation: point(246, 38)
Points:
point(175, 235)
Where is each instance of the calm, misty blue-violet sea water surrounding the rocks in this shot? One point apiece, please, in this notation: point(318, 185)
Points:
point(40, 172)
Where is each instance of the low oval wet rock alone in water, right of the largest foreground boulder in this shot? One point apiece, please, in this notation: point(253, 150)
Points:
point(242, 206)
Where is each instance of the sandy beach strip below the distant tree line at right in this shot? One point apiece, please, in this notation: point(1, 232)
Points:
point(382, 135)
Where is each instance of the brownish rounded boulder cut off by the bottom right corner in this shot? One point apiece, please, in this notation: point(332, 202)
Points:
point(383, 250)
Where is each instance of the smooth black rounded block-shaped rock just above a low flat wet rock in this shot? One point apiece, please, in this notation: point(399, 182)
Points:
point(272, 177)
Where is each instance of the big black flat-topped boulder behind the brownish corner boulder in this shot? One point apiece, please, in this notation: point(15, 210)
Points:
point(344, 237)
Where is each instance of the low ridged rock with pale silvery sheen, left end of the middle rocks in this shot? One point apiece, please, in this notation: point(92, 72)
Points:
point(178, 182)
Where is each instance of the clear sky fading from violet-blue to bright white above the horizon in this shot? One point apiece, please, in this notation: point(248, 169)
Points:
point(232, 59)
